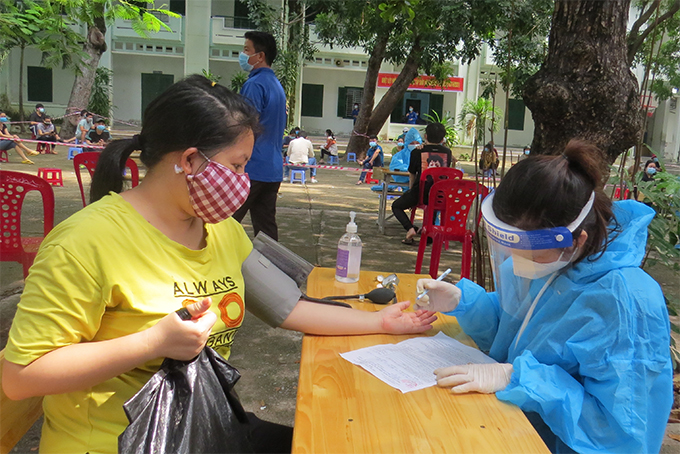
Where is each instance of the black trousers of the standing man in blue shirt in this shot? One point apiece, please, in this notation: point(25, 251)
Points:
point(262, 206)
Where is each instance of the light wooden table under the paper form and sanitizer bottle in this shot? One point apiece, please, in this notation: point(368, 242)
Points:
point(341, 408)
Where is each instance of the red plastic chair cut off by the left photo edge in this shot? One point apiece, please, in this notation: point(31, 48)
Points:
point(13, 189)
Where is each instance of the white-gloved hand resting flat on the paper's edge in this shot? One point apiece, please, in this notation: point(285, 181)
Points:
point(481, 378)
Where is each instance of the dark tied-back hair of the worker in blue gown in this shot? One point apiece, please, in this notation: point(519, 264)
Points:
point(550, 191)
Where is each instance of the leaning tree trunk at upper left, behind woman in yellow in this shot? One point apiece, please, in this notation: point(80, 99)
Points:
point(94, 46)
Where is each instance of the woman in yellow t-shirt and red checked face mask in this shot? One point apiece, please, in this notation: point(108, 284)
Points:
point(97, 315)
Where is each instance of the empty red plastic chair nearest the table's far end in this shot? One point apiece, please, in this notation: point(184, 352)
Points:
point(450, 202)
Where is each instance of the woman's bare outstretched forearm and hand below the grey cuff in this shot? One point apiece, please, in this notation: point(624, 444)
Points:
point(315, 318)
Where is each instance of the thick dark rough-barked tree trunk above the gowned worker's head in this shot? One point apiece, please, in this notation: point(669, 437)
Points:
point(585, 89)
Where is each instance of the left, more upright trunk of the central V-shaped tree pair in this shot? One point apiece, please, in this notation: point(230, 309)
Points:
point(359, 143)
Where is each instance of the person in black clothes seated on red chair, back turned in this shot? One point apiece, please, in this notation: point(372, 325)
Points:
point(432, 154)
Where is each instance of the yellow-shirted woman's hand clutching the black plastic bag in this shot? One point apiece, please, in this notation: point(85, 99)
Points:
point(175, 338)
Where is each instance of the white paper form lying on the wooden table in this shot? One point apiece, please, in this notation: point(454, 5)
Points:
point(409, 365)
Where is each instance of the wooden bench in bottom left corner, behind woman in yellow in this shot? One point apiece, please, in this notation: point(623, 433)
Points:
point(16, 416)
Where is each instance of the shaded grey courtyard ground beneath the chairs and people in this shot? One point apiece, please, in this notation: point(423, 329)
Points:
point(311, 220)
